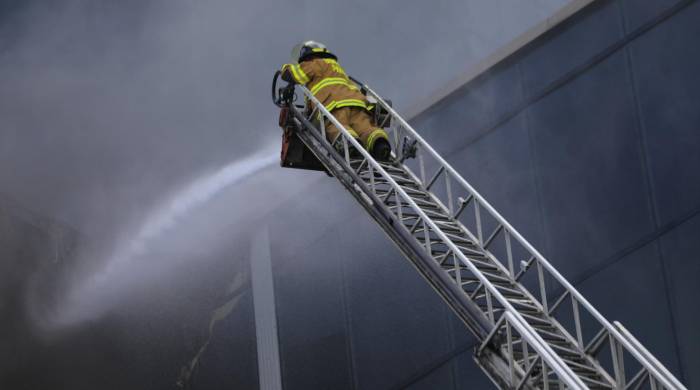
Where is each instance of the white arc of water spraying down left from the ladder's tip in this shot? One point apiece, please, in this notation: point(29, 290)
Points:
point(94, 294)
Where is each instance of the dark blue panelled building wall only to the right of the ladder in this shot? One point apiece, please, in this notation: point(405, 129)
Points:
point(587, 140)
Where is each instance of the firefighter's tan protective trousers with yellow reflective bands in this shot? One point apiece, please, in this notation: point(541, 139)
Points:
point(358, 122)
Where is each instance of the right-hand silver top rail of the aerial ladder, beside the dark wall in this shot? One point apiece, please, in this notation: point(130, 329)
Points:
point(663, 376)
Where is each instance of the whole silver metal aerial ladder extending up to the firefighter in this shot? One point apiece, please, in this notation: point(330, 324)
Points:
point(534, 329)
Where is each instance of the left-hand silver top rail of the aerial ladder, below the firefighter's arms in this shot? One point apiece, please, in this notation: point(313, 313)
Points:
point(347, 141)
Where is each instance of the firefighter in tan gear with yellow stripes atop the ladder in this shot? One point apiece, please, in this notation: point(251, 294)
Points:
point(318, 69)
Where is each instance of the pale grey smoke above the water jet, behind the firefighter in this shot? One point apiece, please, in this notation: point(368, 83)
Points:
point(106, 105)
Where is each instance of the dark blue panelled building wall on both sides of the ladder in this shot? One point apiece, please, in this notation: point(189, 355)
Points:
point(587, 140)
